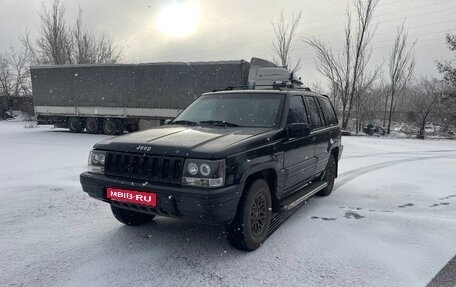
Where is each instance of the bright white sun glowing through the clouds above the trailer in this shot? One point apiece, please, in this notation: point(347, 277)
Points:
point(178, 19)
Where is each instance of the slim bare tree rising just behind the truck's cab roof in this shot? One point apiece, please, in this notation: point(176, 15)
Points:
point(284, 33)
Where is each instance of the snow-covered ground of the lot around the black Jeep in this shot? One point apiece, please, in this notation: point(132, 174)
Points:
point(391, 221)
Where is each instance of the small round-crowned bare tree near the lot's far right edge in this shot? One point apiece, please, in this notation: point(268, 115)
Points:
point(424, 99)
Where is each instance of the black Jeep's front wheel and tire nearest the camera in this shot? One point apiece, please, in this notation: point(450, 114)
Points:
point(249, 228)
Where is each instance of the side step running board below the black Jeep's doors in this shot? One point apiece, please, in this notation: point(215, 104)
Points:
point(293, 202)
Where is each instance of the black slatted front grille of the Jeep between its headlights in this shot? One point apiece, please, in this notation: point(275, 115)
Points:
point(149, 168)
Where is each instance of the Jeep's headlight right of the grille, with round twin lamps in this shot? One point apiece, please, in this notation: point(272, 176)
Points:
point(204, 173)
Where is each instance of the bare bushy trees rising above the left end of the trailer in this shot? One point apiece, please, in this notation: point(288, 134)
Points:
point(58, 43)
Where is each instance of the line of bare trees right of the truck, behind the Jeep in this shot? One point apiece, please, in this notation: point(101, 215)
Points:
point(359, 90)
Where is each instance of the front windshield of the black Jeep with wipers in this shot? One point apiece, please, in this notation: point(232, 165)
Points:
point(246, 110)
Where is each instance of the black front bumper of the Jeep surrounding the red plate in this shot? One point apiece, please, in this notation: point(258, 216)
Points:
point(208, 205)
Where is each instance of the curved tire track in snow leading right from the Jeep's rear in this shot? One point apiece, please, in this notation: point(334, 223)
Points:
point(348, 176)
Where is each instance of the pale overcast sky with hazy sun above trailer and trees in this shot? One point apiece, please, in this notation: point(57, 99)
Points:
point(202, 30)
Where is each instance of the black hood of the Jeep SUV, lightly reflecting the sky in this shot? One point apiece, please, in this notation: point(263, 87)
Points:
point(197, 142)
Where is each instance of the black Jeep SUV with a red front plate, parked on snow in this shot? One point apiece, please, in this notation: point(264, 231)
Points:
point(231, 157)
